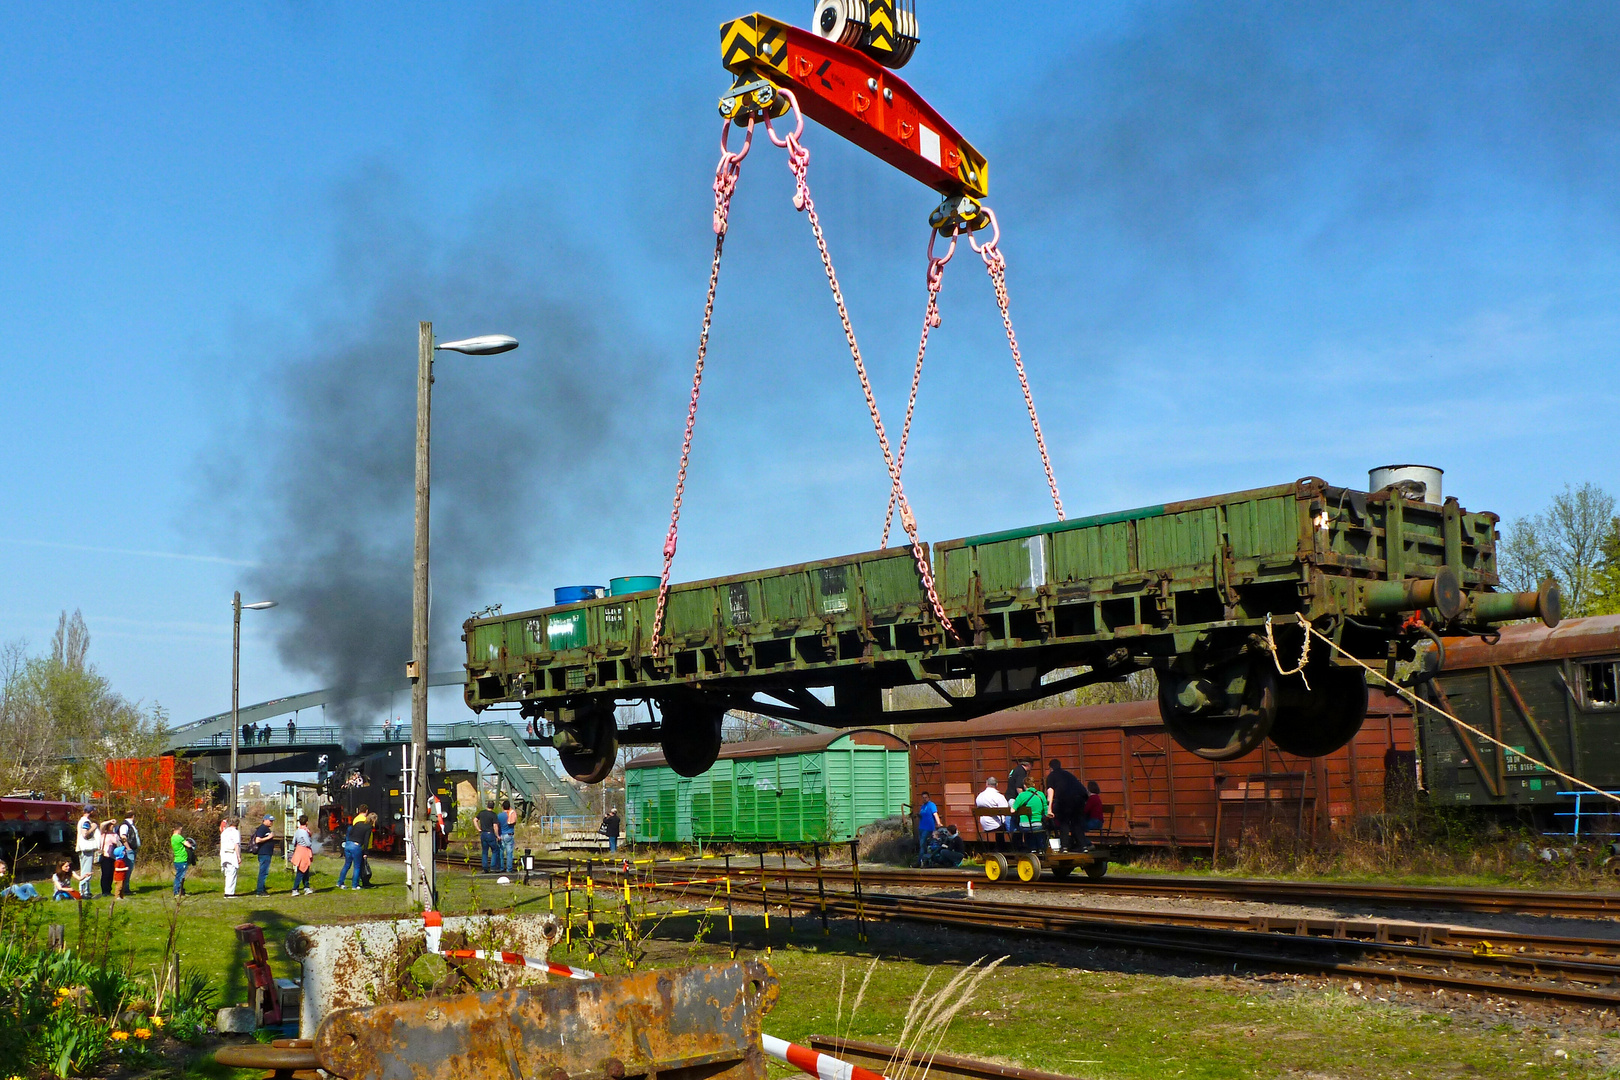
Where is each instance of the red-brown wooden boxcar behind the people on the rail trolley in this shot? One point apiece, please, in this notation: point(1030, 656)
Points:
point(1159, 794)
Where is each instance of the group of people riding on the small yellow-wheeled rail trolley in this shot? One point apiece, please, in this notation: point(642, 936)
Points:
point(1064, 809)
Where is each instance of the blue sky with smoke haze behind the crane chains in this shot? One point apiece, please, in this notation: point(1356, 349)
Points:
point(1245, 245)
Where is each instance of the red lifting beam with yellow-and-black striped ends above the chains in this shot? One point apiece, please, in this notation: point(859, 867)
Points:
point(853, 95)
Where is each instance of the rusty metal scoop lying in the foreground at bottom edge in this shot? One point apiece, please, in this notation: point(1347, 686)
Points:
point(680, 1024)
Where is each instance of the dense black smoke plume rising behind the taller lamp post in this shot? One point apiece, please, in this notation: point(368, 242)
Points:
point(521, 441)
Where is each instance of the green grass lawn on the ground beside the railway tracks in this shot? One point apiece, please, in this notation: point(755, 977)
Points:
point(1049, 1008)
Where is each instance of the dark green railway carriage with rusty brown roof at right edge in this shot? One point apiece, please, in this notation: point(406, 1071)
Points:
point(1550, 694)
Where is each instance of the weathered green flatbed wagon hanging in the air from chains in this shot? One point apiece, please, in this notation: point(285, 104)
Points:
point(1185, 589)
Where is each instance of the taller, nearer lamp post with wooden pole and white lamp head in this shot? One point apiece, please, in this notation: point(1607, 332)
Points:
point(422, 823)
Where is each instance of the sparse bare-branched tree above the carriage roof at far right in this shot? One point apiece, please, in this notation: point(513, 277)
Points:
point(1564, 542)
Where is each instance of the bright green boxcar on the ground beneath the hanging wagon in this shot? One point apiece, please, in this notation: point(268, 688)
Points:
point(816, 789)
